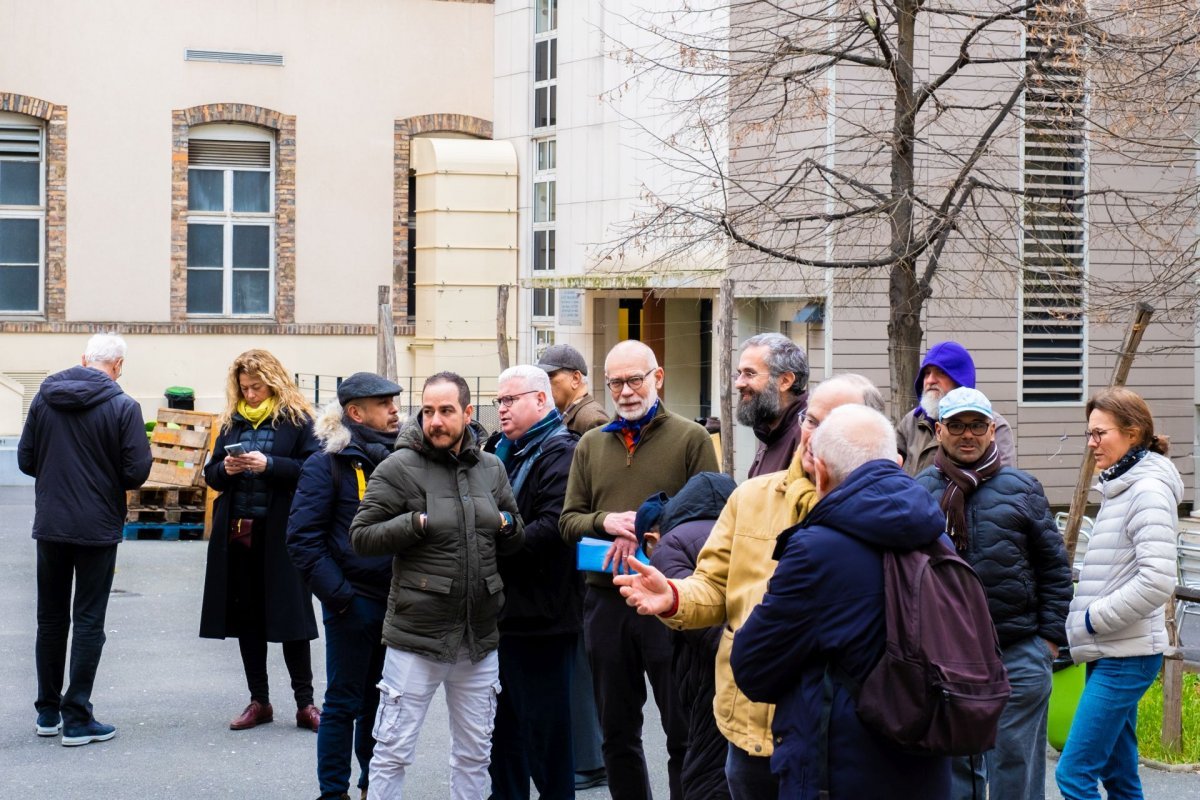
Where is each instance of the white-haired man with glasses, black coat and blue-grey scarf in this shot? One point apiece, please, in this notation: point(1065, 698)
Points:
point(543, 613)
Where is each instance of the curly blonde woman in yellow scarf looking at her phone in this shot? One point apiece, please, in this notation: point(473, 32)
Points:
point(251, 590)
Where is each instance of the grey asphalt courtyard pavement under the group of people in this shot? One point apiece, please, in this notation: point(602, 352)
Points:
point(172, 695)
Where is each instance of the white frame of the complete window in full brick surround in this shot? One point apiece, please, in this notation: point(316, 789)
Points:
point(229, 219)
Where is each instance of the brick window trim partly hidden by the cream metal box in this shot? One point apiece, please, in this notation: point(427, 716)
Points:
point(406, 130)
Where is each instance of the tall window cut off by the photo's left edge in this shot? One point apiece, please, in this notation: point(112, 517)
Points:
point(22, 215)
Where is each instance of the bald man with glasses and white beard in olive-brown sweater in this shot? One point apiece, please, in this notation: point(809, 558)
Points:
point(644, 450)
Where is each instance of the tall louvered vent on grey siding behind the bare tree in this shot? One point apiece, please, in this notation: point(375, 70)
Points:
point(1054, 256)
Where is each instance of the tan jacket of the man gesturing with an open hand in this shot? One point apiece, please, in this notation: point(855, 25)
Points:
point(730, 580)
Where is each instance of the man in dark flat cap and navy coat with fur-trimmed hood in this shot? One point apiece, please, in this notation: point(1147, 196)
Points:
point(358, 434)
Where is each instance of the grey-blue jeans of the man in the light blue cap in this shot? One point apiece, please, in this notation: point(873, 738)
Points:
point(1016, 769)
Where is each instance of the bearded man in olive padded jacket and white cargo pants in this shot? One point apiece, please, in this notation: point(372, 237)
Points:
point(443, 510)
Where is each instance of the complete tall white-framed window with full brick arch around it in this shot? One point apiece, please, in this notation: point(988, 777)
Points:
point(231, 221)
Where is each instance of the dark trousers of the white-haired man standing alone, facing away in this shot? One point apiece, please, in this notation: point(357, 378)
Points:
point(91, 569)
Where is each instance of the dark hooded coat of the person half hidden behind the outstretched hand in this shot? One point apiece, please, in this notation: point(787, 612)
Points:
point(686, 525)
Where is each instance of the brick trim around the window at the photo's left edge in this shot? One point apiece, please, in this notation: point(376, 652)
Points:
point(56, 274)
